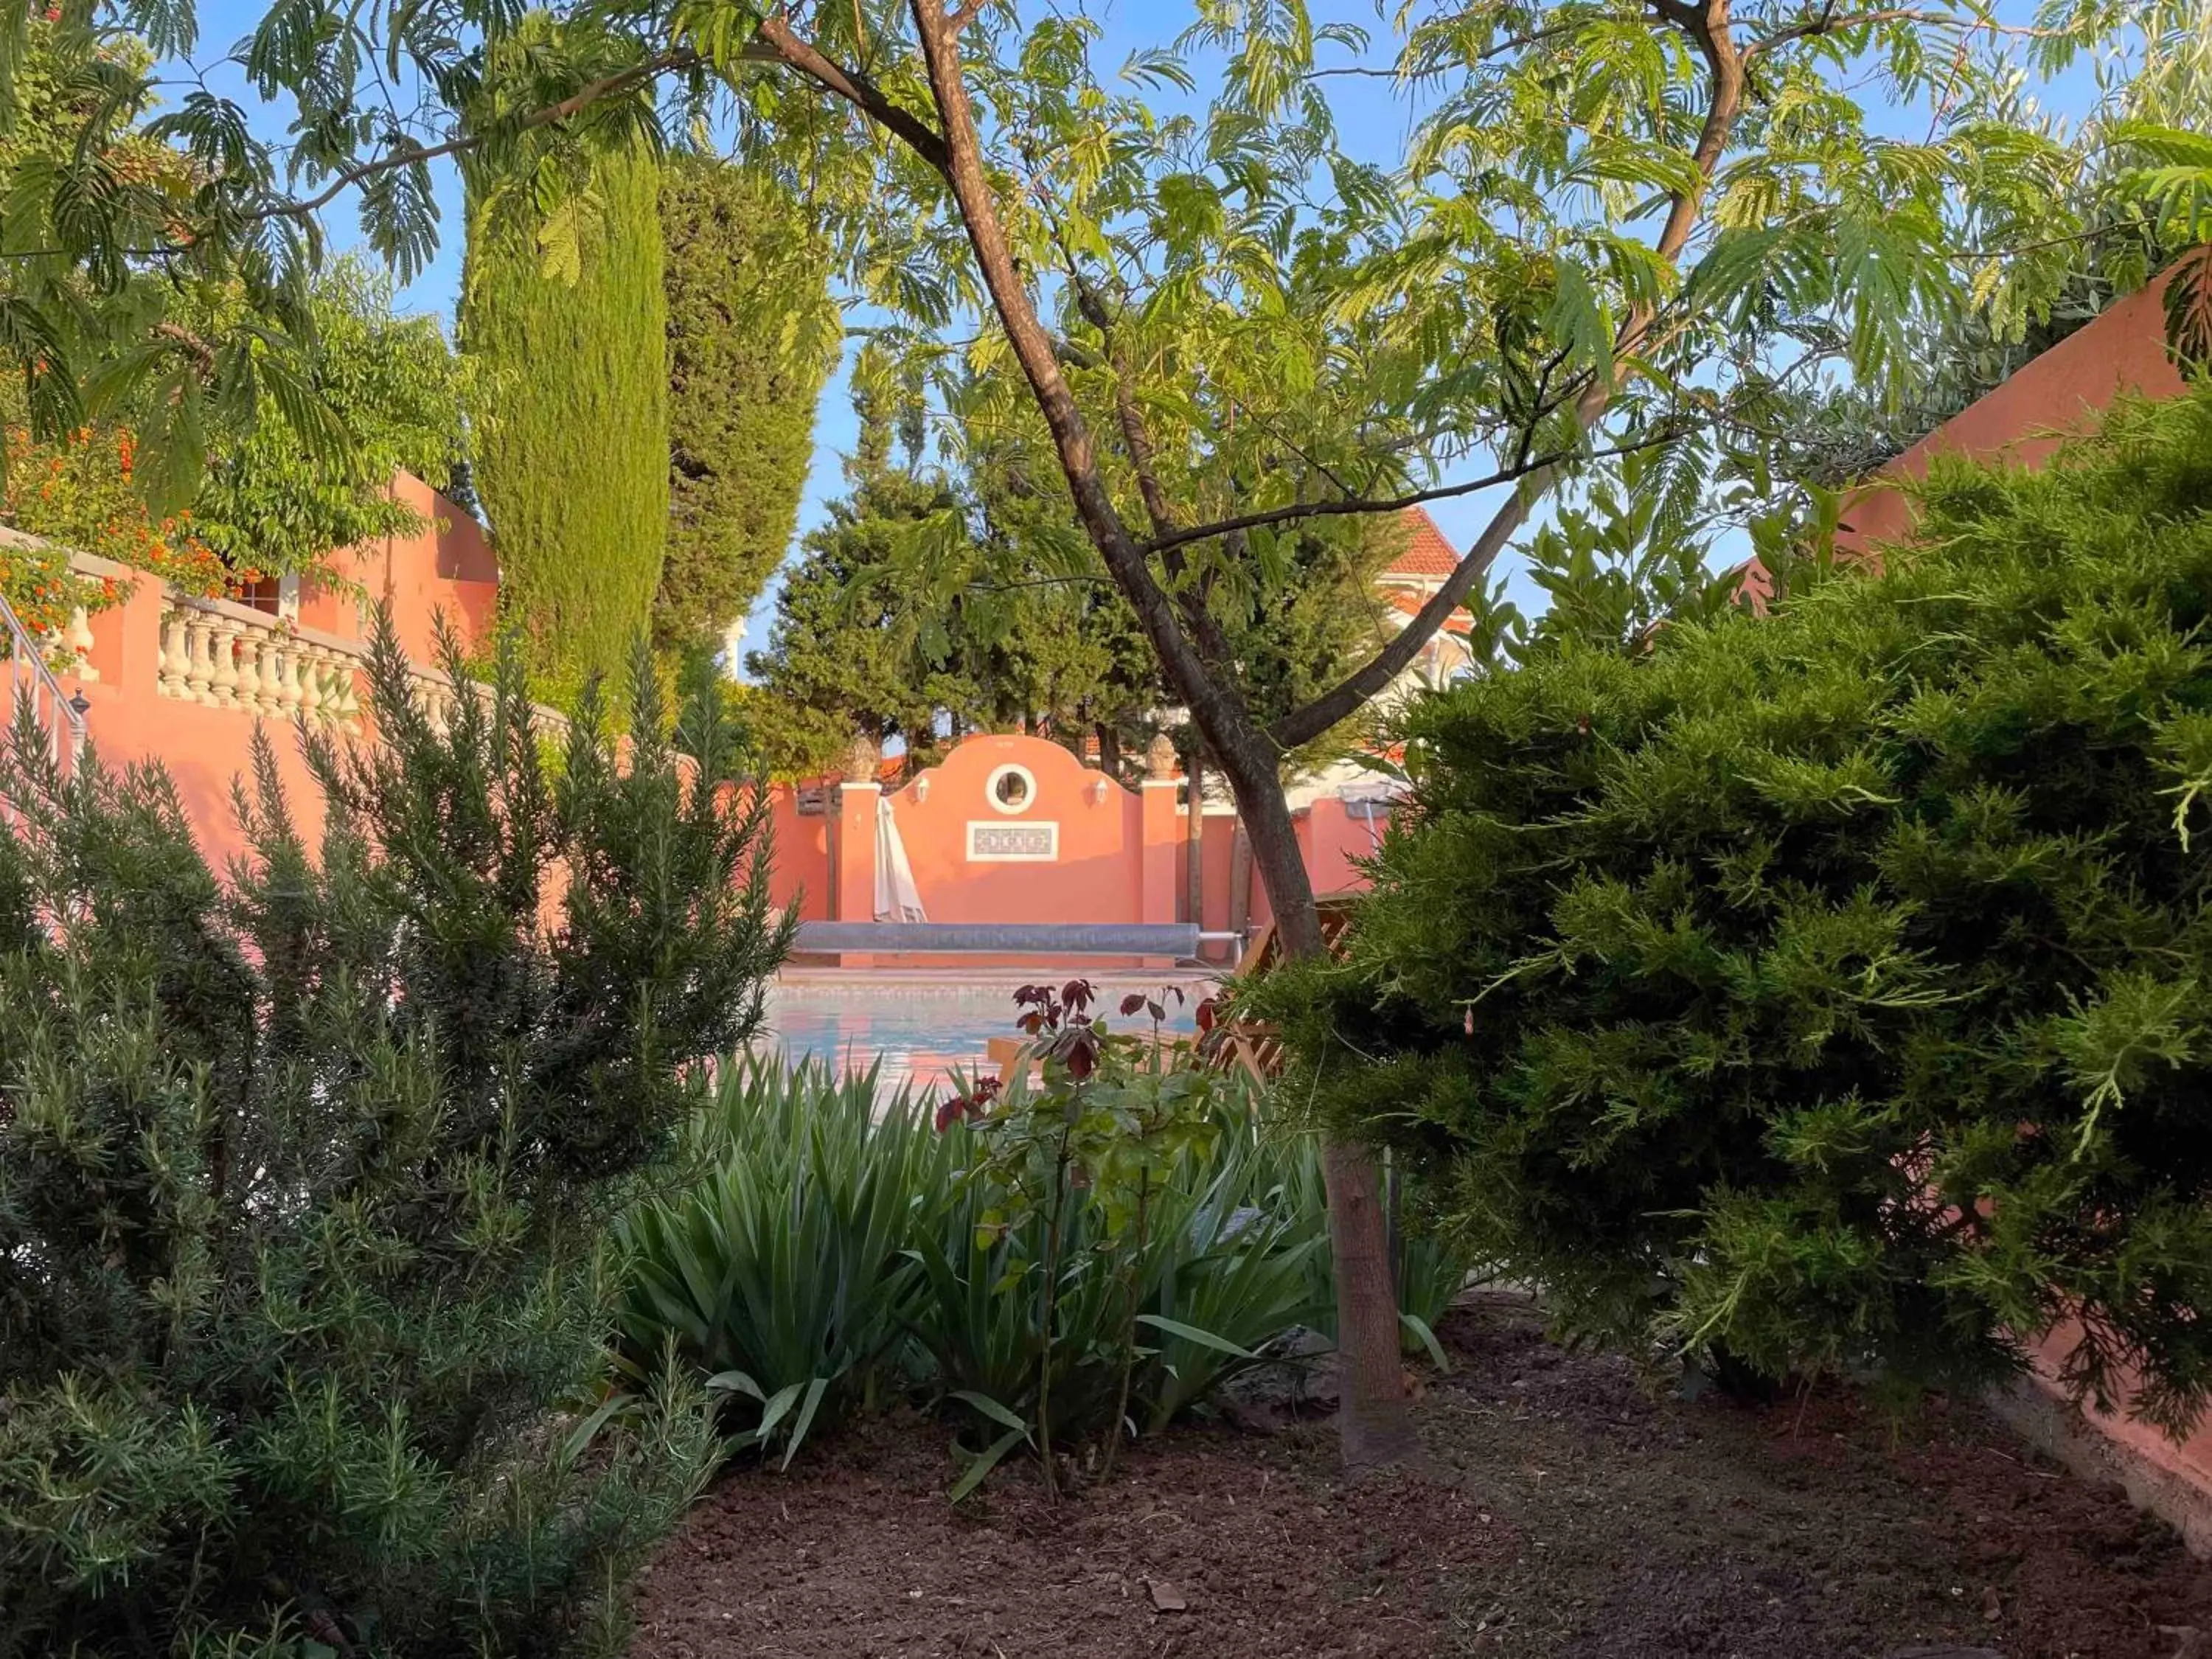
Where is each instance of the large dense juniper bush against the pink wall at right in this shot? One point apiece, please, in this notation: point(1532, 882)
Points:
point(1830, 990)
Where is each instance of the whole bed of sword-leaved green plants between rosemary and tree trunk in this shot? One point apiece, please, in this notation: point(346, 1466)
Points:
point(1043, 1264)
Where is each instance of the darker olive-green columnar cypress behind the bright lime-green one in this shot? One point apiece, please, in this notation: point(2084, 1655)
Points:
point(751, 340)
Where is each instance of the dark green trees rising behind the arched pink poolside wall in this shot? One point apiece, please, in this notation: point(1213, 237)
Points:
point(1021, 640)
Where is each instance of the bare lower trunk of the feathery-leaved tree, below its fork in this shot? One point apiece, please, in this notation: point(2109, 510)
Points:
point(1373, 1421)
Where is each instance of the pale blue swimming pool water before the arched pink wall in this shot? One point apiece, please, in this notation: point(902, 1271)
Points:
point(928, 1027)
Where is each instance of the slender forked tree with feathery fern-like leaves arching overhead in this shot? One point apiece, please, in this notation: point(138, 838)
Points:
point(1618, 227)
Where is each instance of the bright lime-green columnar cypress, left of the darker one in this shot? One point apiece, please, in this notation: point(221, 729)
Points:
point(574, 448)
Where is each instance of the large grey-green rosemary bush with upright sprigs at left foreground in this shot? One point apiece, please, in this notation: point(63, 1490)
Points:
point(304, 1180)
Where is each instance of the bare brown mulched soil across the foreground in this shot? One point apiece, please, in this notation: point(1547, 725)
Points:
point(1565, 1516)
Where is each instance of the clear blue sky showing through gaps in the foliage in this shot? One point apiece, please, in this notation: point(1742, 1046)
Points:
point(1373, 121)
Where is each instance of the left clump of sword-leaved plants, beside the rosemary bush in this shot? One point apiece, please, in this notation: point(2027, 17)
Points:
point(789, 1273)
